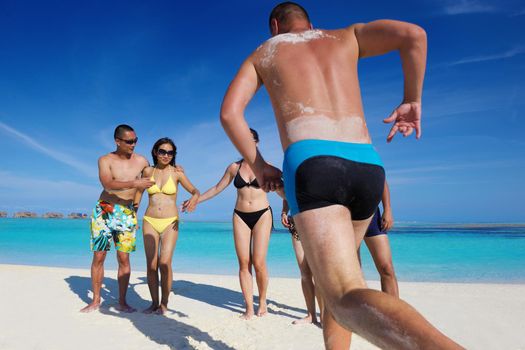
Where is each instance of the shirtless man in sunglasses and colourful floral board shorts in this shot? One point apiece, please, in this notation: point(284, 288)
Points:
point(114, 217)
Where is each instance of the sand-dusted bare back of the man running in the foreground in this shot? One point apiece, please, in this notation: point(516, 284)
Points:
point(311, 77)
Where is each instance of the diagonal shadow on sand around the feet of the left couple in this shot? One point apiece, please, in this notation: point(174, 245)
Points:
point(162, 330)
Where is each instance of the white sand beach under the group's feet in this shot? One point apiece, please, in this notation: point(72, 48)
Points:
point(39, 310)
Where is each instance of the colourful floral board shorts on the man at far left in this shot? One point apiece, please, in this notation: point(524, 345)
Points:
point(113, 222)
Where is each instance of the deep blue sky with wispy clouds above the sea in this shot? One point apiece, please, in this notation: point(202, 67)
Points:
point(71, 71)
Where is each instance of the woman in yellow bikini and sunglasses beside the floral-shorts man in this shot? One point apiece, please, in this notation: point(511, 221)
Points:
point(160, 226)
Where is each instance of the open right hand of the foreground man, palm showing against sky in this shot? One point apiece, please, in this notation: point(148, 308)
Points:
point(406, 118)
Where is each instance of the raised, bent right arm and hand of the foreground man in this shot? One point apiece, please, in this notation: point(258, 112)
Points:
point(379, 37)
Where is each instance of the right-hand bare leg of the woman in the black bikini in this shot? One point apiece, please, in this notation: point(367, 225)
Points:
point(261, 239)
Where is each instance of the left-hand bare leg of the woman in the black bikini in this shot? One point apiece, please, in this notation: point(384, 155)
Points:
point(242, 238)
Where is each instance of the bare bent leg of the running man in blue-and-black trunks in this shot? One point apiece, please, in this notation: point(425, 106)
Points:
point(329, 240)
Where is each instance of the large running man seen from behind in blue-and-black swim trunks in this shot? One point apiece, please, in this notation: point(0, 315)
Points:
point(333, 178)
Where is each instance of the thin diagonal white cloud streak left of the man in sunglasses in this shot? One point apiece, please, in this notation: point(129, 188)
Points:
point(59, 156)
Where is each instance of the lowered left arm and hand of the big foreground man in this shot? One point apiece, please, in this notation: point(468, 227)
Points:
point(239, 93)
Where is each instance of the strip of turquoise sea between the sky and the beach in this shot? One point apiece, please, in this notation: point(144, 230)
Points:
point(422, 252)
